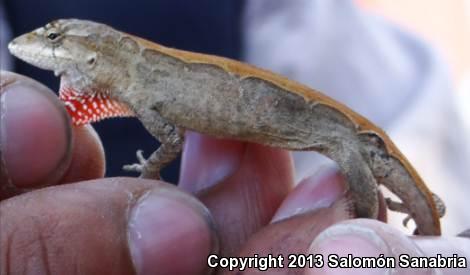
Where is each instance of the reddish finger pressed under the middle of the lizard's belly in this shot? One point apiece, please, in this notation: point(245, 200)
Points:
point(252, 180)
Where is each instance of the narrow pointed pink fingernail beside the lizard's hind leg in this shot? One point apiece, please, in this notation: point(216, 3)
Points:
point(320, 190)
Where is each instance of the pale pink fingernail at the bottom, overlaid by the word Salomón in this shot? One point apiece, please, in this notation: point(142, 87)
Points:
point(342, 240)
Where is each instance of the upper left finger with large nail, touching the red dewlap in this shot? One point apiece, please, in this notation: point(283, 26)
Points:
point(37, 146)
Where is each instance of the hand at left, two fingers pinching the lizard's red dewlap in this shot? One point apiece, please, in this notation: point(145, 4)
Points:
point(95, 225)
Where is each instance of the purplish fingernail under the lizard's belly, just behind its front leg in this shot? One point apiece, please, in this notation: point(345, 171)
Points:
point(206, 161)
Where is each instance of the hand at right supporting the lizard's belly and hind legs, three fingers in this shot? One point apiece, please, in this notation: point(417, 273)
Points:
point(309, 219)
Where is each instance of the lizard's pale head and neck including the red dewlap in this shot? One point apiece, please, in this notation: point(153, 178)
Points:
point(86, 56)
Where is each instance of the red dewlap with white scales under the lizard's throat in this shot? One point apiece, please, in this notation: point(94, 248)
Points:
point(87, 107)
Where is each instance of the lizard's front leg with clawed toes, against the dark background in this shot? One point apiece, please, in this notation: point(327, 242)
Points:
point(171, 138)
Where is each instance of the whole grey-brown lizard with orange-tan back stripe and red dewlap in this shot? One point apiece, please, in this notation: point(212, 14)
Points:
point(108, 73)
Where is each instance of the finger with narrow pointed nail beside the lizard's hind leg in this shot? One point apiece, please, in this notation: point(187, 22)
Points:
point(318, 202)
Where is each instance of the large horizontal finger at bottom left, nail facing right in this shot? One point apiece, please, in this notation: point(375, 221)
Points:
point(108, 226)
